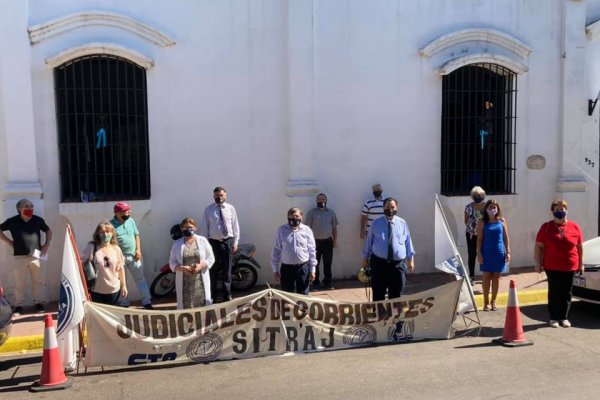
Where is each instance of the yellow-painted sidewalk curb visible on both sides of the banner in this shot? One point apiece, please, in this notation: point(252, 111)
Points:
point(35, 343)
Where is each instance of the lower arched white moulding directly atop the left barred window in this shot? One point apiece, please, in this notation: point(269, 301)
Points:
point(100, 48)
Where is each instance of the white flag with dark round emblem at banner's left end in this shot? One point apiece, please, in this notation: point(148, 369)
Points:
point(70, 304)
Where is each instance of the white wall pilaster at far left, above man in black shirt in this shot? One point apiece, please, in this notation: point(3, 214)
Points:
point(17, 99)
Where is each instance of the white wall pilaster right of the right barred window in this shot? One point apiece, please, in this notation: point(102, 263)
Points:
point(573, 96)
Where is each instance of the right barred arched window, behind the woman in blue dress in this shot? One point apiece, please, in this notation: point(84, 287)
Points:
point(478, 130)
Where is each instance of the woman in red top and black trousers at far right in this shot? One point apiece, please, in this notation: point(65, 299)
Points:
point(559, 252)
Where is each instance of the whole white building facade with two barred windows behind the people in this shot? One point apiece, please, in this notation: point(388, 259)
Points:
point(156, 103)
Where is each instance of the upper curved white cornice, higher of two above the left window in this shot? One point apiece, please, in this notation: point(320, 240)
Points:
point(54, 27)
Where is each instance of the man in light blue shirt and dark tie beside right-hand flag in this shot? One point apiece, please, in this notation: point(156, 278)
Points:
point(389, 251)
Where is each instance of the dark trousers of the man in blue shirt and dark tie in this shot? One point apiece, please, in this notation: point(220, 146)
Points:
point(387, 275)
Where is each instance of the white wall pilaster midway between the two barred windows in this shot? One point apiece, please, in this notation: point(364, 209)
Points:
point(302, 180)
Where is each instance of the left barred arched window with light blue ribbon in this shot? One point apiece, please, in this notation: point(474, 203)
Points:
point(102, 118)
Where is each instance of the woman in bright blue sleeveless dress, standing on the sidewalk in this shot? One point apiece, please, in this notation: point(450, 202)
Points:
point(493, 250)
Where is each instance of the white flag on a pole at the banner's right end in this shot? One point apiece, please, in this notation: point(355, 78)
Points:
point(447, 259)
